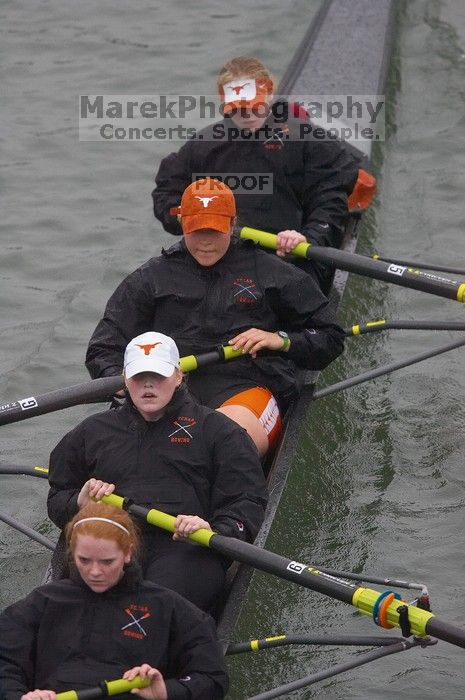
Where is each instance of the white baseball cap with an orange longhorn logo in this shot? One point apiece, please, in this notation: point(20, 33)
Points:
point(151, 352)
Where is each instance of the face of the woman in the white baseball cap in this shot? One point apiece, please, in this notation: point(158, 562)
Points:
point(151, 392)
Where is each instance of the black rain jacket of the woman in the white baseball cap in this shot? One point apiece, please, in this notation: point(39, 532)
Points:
point(194, 461)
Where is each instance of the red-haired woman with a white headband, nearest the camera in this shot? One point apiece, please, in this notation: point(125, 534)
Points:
point(105, 622)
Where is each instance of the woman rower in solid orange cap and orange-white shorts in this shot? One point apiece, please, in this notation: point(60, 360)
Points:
point(213, 289)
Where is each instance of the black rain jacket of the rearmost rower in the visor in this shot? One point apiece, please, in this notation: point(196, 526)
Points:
point(311, 177)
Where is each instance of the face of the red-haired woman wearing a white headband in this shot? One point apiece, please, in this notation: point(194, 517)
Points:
point(100, 562)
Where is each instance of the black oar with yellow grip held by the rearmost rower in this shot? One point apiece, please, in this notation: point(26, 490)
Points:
point(361, 265)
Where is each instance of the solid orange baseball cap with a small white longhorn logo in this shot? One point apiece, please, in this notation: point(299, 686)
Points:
point(206, 203)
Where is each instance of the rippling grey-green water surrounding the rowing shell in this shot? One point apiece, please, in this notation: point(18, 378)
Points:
point(378, 480)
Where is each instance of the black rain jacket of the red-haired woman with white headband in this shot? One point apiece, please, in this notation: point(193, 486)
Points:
point(63, 636)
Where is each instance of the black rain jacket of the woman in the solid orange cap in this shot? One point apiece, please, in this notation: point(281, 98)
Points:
point(203, 307)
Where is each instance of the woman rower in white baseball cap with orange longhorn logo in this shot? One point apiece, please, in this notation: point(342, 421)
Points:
point(164, 450)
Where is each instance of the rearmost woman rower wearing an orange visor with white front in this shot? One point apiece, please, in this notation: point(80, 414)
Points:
point(309, 179)
